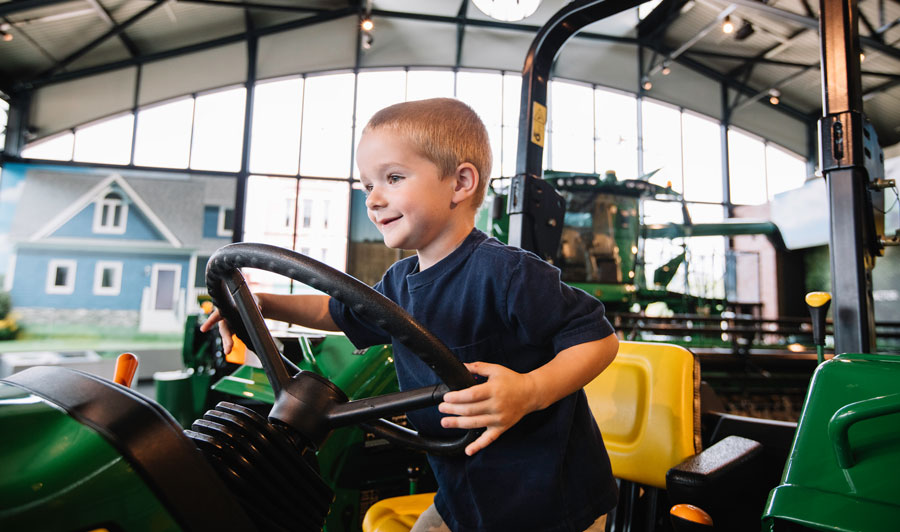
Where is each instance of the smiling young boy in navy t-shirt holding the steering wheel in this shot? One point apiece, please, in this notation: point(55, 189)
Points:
point(540, 464)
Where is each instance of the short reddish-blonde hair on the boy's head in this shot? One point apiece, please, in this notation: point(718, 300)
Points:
point(445, 131)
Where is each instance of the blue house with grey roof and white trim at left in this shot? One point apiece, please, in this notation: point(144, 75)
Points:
point(110, 251)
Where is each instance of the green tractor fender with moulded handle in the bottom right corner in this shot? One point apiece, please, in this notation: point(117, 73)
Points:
point(842, 473)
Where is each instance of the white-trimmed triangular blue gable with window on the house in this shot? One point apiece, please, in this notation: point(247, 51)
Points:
point(111, 209)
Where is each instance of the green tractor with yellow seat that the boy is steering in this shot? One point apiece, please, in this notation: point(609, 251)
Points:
point(316, 435)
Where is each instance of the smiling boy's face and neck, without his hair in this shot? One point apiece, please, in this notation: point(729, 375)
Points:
point(407, 199)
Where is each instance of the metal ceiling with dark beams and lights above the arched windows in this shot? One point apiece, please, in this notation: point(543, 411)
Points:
point(56, 40)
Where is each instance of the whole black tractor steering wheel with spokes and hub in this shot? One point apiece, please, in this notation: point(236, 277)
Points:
point(309, 403)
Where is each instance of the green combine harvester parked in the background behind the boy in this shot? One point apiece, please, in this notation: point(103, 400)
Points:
point(601, 245)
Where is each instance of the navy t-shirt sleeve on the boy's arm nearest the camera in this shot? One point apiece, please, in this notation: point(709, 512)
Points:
point(543, 310)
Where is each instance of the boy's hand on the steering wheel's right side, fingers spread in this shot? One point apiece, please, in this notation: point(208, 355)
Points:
point(497, 404)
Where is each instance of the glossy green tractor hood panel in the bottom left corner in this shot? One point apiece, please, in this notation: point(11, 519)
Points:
point(57, 474)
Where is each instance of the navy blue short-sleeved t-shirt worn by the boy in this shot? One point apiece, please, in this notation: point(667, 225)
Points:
point(494, 303)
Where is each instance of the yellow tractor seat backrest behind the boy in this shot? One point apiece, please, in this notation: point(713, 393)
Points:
point(646, 405)
